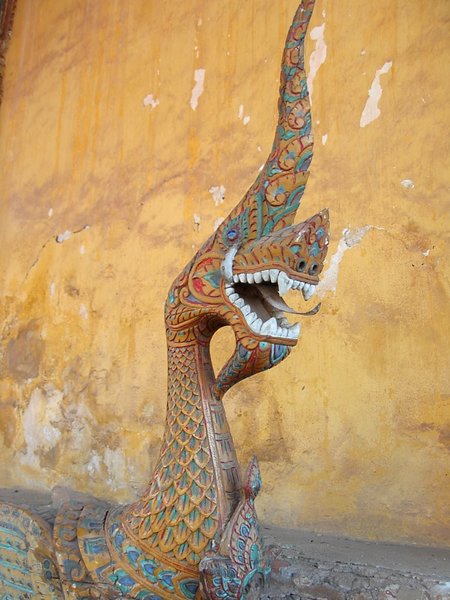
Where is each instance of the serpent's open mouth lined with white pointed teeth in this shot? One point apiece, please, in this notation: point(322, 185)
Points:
point(258, 297)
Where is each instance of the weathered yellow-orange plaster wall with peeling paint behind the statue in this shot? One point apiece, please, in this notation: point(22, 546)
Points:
point(117, 121)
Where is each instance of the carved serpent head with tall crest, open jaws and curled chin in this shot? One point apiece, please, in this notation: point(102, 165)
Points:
point(257, 254)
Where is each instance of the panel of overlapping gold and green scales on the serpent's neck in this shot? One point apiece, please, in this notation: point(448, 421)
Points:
point(177, 515)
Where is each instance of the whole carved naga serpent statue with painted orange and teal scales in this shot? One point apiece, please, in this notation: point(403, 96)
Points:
point(193, 534)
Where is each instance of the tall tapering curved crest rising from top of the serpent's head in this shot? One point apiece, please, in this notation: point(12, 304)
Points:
point(272, 201)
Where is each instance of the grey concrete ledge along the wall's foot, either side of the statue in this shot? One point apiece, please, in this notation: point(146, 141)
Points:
point(311, 566)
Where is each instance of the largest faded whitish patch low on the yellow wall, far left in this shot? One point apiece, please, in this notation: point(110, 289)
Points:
point(39, 423)
